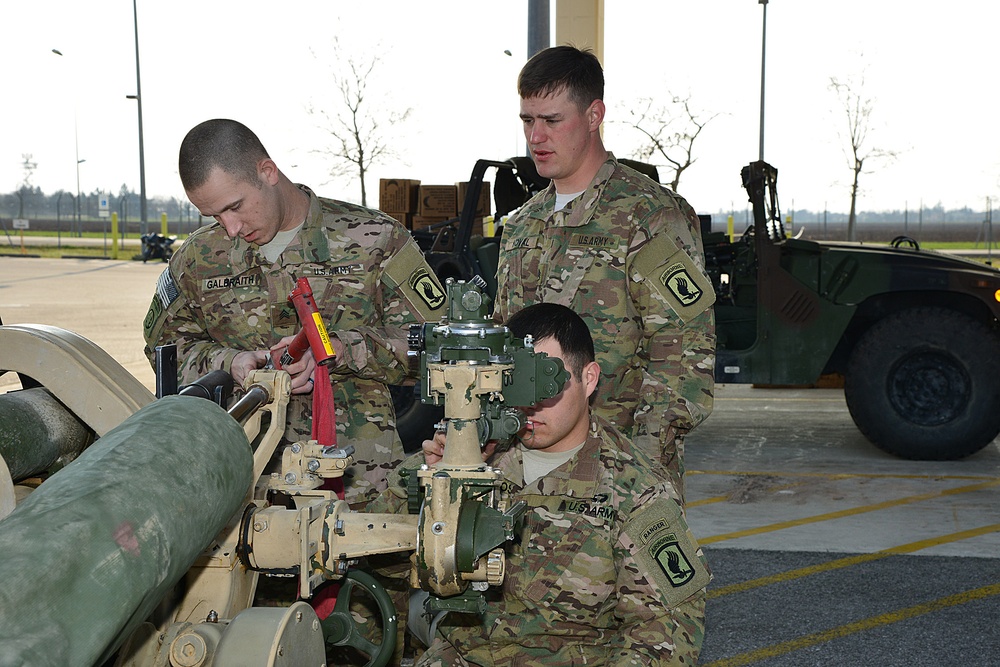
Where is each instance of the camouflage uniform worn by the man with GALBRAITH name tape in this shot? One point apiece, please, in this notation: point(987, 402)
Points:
point(219, 296)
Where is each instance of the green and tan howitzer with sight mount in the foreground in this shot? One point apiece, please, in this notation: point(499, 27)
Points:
point(148, 547)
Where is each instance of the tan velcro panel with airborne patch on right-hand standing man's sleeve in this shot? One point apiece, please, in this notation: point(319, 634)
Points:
point(675, 276)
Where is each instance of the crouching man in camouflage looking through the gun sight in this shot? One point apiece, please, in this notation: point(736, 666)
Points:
point(605, 570)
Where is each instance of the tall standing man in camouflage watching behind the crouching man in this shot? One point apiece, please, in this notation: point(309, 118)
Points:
point(620, 250)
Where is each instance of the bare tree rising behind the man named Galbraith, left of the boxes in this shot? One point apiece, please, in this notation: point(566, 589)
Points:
point(360, 123)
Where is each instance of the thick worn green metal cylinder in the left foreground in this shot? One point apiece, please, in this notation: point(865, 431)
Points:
point(89, 554)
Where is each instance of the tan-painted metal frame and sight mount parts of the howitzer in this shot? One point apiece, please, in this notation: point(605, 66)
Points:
point(210, 620)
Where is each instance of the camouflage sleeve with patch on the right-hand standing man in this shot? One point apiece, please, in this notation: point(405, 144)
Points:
point(674, 297)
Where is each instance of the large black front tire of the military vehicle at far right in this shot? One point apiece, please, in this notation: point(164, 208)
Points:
point(924, 384)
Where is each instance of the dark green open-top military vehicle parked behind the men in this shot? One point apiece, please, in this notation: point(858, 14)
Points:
point(911, 335)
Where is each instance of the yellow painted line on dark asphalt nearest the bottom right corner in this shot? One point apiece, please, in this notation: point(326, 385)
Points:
point(782, 648)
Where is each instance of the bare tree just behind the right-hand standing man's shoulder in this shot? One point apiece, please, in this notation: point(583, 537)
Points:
point(670, 131)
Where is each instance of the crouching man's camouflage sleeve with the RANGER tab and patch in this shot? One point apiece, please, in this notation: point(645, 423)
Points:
point(662, 579)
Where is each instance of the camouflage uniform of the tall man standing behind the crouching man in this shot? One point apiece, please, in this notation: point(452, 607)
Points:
point(626, 255)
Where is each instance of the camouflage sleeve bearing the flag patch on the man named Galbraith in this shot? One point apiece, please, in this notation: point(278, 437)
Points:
point(173, 317)
